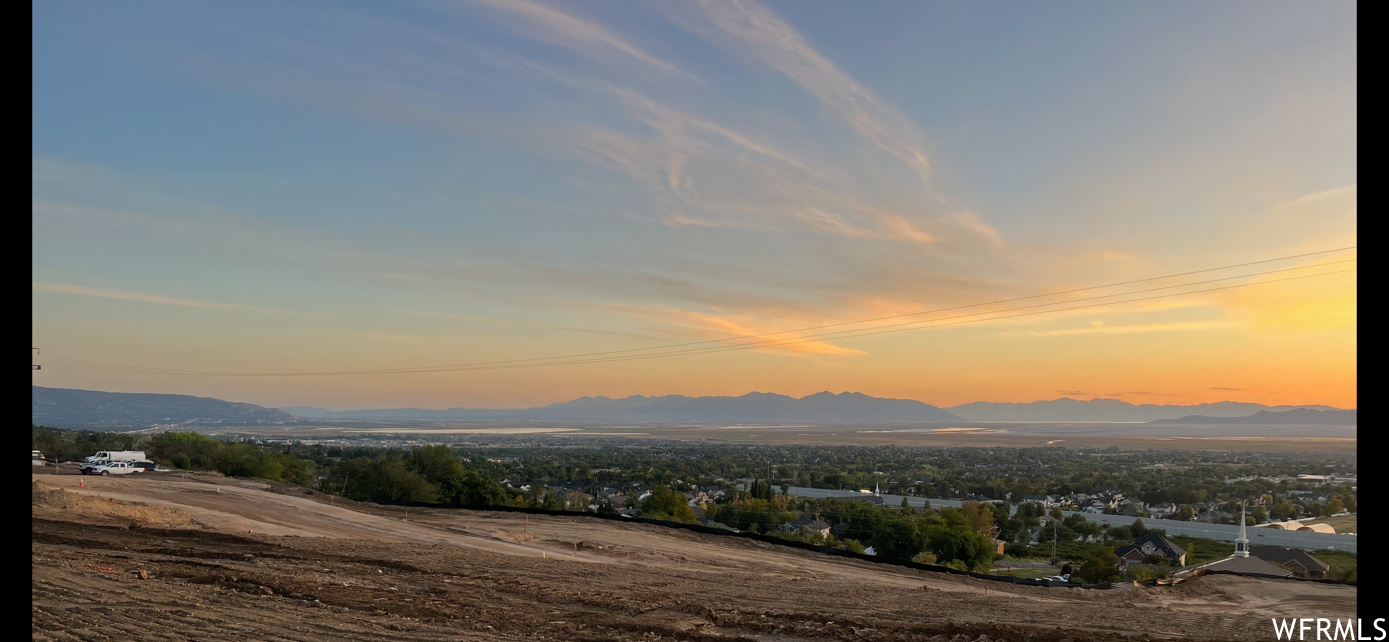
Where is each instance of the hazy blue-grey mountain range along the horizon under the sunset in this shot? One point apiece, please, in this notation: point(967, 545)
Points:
point(72, 408)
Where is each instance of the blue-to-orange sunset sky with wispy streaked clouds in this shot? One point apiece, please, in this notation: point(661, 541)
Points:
point(253, 201)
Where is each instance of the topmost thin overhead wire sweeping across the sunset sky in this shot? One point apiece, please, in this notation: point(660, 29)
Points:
point(726, 341)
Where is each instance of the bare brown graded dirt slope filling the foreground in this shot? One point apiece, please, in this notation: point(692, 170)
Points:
point(238, 559)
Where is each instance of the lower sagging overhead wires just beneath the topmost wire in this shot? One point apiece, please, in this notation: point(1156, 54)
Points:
point(737, 347)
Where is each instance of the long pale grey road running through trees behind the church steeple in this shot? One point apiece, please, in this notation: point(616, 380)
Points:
point(1223, 533)
